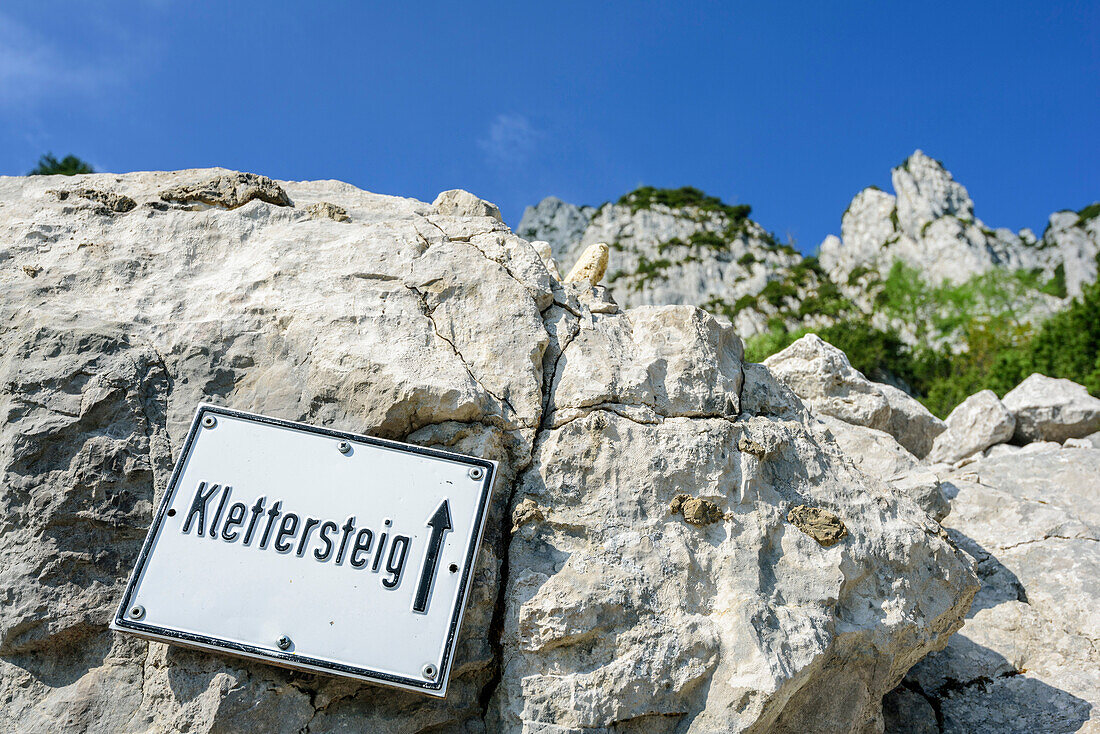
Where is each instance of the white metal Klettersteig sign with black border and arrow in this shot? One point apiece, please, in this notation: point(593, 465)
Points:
point(313, 549)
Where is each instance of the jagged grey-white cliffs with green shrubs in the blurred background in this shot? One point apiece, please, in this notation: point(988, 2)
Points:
point(683, 247)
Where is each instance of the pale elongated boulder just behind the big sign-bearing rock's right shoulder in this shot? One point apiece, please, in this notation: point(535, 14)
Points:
point(822, 376)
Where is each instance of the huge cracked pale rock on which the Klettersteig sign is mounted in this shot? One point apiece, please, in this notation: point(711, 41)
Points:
point(790, 593)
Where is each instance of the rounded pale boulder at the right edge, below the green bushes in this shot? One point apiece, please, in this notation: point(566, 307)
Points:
point(1052, 410)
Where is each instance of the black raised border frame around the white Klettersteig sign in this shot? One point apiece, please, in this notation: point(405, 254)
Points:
point(436, 688)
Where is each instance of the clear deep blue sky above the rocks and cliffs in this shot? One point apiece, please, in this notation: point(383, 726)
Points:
point(791, 108)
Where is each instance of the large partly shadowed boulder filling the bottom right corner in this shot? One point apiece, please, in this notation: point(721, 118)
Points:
point(1027, 660)
